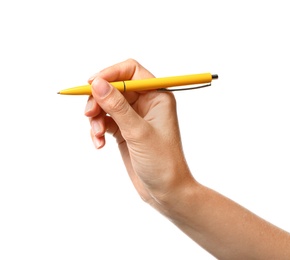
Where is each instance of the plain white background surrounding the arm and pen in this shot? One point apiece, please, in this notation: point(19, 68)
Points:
point(62, 199)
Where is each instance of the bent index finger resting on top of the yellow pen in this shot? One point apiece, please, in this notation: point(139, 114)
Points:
point(129, 69)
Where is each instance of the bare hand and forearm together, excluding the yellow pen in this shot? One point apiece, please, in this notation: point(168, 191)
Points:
point(145, 125)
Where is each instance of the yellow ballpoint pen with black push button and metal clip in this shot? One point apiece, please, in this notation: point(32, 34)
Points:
point(149, 84)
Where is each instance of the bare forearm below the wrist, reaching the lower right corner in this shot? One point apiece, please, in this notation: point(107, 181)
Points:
point(224, 228)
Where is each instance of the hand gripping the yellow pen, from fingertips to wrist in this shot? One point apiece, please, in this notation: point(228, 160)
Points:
point(146, 128)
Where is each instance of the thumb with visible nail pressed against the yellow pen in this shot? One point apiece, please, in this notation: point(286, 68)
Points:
point(114, 103)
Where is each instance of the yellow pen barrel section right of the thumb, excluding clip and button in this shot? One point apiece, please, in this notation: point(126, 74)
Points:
point(167, 82)
